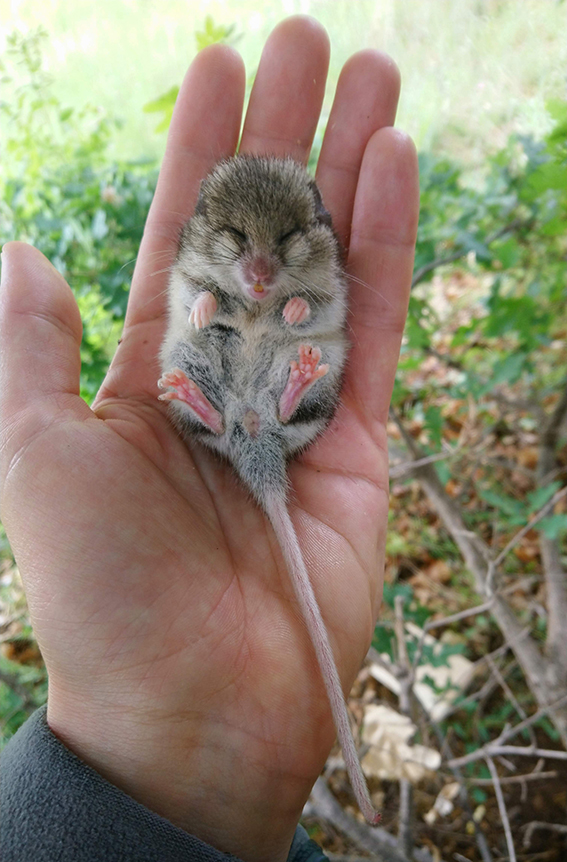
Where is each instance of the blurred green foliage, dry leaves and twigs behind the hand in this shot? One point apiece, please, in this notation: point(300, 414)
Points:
point(477, 546)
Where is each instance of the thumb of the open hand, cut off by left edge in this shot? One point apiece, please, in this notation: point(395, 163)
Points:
point(40, 337)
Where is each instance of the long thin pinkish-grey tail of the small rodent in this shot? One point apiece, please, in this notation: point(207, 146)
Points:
point(283, 527)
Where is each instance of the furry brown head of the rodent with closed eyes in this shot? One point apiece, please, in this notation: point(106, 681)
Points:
point(260, 229)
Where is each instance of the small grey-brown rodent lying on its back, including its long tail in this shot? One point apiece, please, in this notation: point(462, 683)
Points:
point(257, 298)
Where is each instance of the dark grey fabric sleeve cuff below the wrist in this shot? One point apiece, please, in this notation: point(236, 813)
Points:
point(55, 808)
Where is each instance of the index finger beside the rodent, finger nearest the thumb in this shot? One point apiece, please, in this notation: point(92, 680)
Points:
point(204, 128)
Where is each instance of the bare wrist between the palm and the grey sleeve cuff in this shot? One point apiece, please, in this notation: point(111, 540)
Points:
point(211, 780)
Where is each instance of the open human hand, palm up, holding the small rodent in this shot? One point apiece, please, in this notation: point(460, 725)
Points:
point(179, 667)
